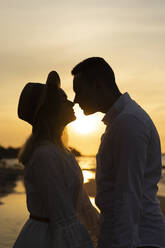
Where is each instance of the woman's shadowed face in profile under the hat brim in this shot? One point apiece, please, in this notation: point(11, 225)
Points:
point(66, 113)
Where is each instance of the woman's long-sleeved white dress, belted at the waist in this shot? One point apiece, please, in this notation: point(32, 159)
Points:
point(54, 186)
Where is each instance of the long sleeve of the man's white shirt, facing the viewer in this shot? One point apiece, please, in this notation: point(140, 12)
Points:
point(121, 189)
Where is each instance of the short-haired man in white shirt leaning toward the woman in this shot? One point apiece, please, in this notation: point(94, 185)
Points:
point(128, 161)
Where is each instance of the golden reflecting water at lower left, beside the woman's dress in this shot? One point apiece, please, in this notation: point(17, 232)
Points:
point(13, 214)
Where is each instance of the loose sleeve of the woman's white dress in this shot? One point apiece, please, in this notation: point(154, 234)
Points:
point(49, 178)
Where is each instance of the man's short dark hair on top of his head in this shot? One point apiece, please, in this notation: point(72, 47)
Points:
point(96, 68)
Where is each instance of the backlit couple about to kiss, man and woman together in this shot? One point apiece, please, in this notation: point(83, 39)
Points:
point(127, 173)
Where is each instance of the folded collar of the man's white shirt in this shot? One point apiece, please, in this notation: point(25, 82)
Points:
point(116, 108)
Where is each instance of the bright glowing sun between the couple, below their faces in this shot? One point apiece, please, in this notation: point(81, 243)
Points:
point(84, 124)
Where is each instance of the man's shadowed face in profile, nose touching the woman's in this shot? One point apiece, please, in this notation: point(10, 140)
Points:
point(85, 94)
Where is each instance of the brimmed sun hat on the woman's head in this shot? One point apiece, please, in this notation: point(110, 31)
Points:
point(34, 95)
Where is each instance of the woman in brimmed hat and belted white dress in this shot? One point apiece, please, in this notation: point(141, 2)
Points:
point(56, 199)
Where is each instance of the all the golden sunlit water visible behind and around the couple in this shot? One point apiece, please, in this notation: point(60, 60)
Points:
point(13, 212)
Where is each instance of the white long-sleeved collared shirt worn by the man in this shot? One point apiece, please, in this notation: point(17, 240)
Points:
point(128, 170)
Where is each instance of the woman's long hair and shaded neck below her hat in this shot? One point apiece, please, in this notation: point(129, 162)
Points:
point(46, 127)
